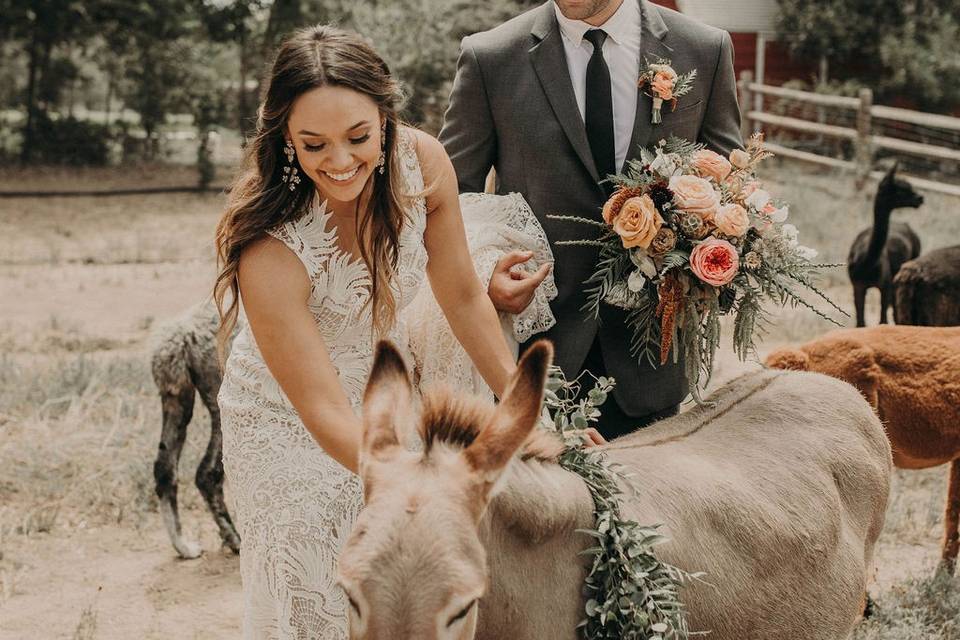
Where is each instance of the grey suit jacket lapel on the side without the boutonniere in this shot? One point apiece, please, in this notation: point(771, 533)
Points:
point(550, 63)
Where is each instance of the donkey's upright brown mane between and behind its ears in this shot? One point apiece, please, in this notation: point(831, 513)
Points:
point(456, 418)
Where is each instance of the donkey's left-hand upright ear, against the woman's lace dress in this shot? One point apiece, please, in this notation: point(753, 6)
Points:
point(386, 399)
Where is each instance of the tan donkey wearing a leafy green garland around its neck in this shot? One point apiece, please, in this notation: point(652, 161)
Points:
point(778, 492)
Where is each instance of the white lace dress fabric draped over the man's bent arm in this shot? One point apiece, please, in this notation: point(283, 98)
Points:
point(497, 225)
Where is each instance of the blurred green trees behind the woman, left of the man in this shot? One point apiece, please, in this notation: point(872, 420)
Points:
point(205, 57)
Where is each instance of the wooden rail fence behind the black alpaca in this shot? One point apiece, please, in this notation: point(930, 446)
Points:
point(865, 141)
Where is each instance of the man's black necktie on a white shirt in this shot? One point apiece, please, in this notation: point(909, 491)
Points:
point(599, 109)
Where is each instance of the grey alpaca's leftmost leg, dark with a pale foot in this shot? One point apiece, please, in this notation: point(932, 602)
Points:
point(177, 411)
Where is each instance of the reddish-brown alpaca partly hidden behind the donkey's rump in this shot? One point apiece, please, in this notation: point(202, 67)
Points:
point(911, 375)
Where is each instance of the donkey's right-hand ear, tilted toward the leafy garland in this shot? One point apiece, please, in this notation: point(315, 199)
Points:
point(515, 417)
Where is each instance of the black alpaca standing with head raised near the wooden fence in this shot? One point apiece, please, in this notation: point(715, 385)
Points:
point(877, 253)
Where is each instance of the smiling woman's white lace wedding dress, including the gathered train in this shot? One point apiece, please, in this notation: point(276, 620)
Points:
point(295, 505)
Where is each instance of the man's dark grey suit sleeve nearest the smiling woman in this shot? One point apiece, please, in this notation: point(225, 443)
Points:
point(468, 132)
